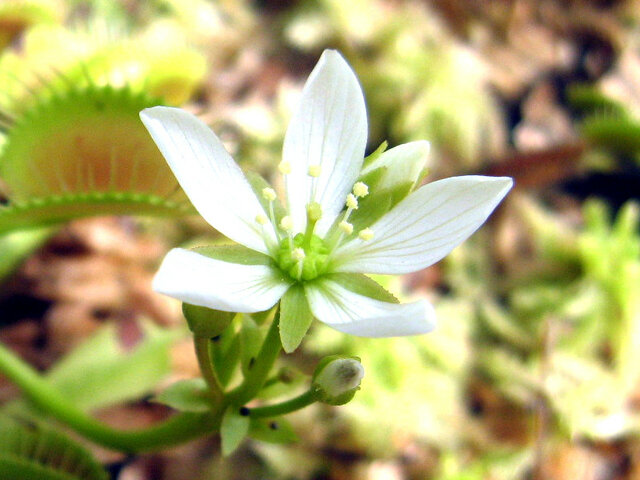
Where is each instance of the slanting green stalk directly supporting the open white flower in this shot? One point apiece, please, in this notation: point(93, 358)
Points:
point(257, 376)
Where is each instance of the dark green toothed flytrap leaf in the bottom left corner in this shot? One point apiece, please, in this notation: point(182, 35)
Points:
point(34, 451)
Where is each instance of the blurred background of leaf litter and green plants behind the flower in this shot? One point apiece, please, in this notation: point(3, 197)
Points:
point(534, 370)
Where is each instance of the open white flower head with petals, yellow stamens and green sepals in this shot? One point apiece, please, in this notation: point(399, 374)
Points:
point(312, 254)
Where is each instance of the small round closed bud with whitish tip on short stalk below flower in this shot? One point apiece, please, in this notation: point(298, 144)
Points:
point(337, 379)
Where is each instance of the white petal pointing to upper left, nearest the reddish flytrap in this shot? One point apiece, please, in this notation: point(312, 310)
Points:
point(209, 176)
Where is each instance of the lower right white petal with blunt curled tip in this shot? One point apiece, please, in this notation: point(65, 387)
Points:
point(356, 314)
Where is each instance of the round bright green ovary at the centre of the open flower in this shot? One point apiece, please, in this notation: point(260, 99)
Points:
point(314, 263)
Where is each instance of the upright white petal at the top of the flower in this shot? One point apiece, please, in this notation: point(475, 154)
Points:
point(329, 129)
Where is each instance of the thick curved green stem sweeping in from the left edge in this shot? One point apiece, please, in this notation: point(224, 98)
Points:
point(176, 430)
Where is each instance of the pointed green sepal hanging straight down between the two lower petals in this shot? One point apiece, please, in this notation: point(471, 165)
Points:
point(295, 318)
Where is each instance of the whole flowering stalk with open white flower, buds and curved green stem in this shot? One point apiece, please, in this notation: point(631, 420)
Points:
point(307, 257)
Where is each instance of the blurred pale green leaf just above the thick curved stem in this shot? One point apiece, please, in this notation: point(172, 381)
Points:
point(99, 372)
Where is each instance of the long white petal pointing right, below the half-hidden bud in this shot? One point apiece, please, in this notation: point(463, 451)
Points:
point(425, 226)
